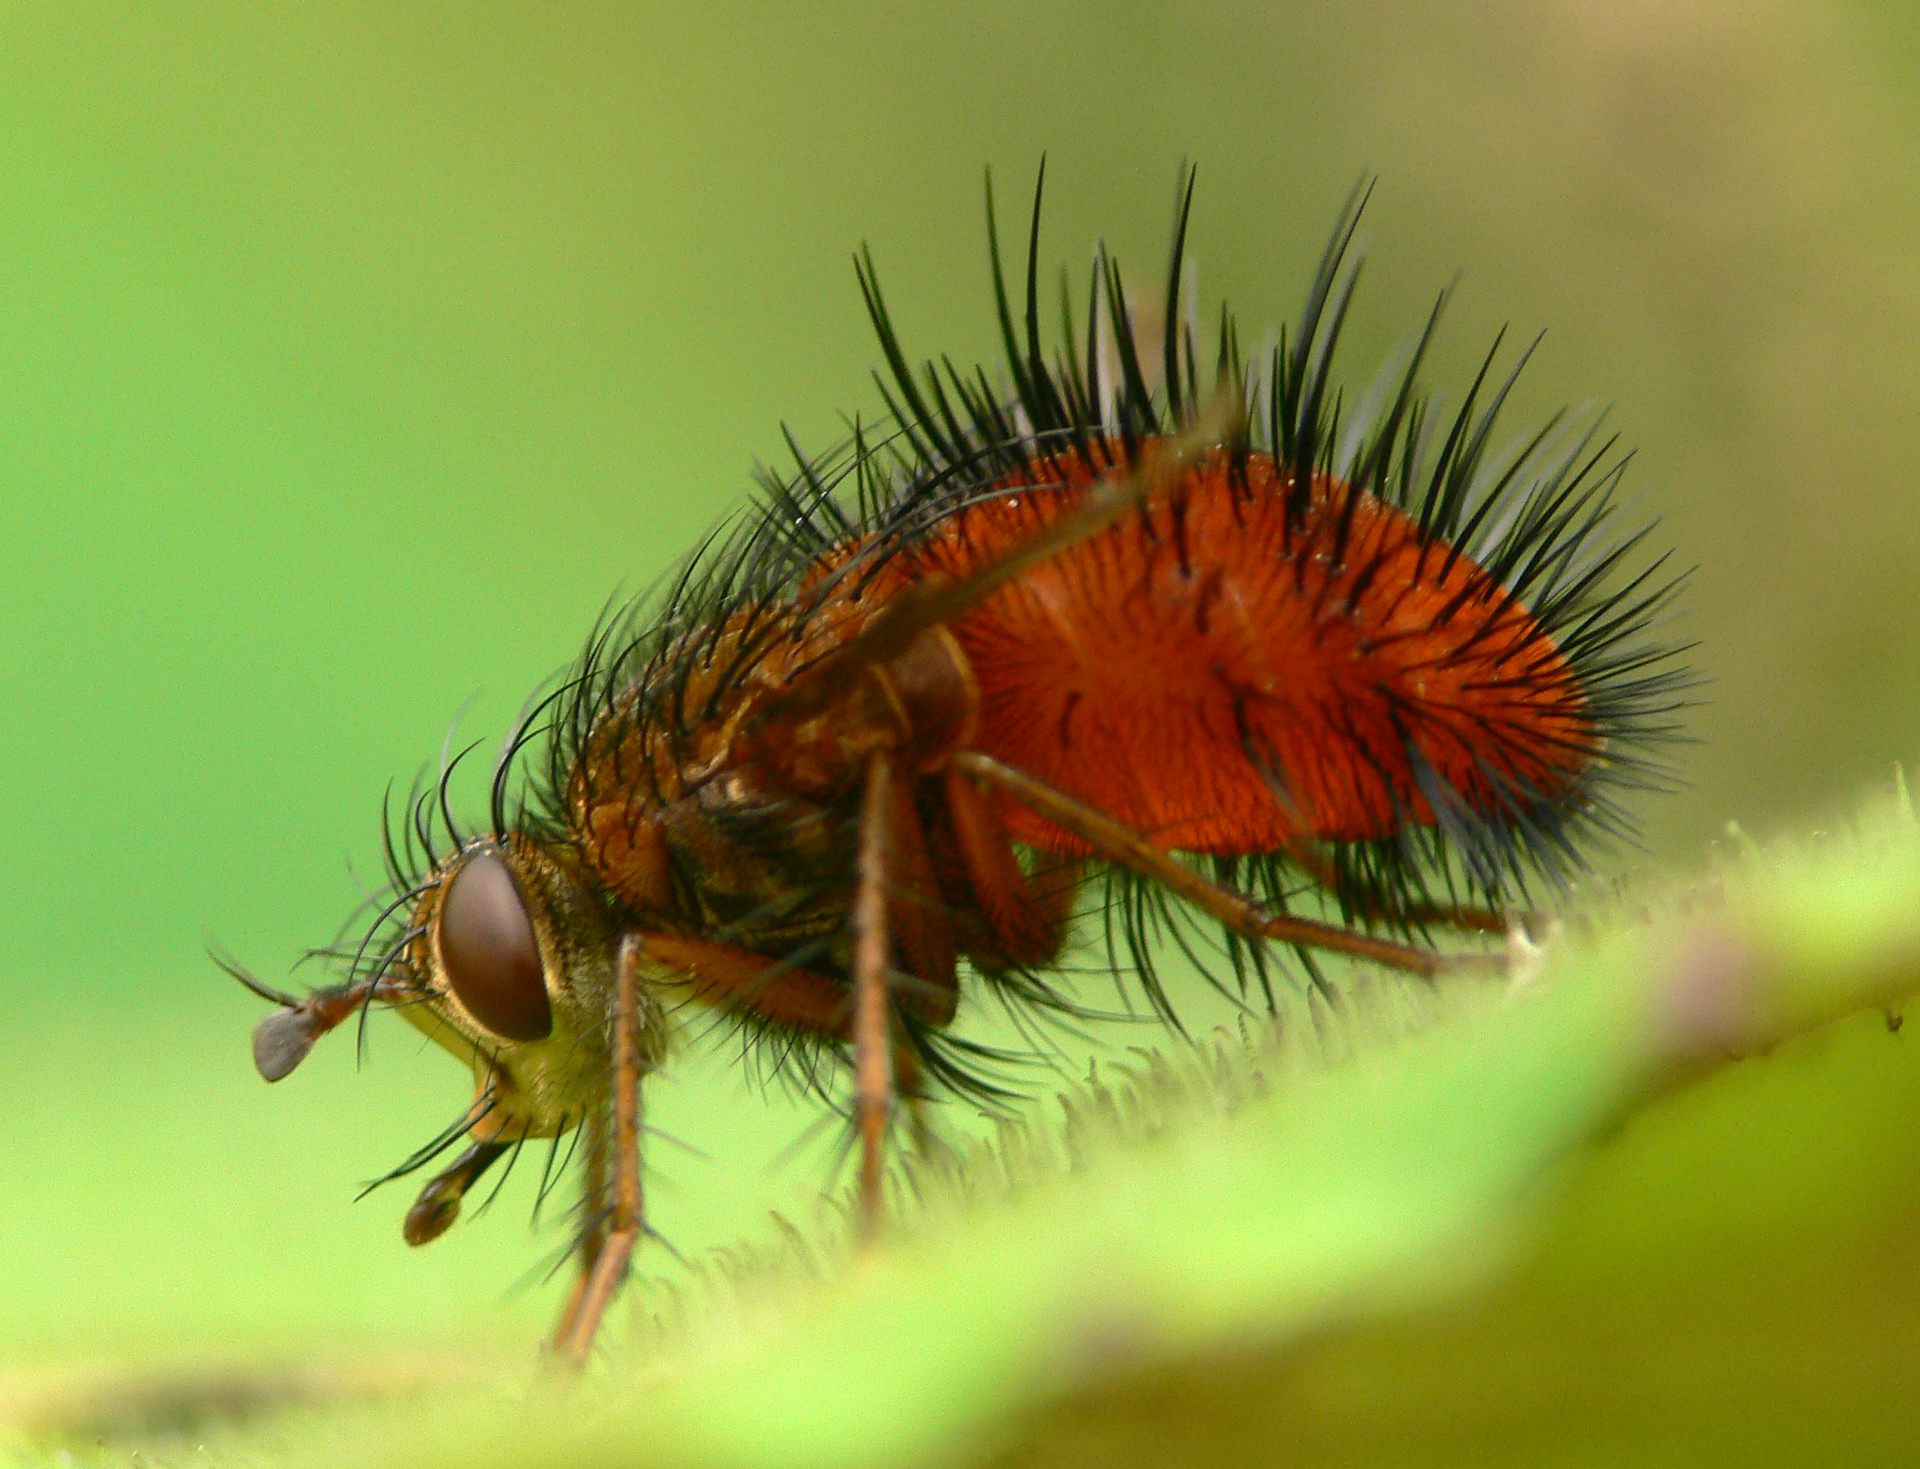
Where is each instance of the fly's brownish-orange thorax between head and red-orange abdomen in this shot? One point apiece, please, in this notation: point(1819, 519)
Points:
point(736, 825)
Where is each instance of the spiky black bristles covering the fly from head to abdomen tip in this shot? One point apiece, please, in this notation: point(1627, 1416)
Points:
point(1537, 521)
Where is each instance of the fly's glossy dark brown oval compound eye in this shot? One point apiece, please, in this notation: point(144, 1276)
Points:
point(487, 942)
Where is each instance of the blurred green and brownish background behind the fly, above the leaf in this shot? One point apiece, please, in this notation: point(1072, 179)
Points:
point(350, 358)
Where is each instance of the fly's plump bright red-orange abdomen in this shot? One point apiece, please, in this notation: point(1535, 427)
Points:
point(1226, 685)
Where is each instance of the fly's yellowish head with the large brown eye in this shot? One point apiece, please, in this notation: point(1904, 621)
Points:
point(516, 959)
